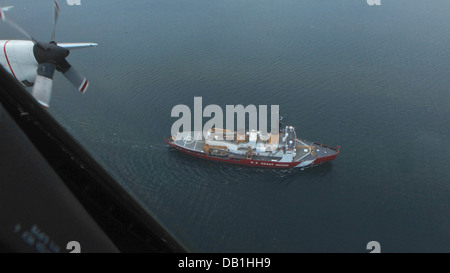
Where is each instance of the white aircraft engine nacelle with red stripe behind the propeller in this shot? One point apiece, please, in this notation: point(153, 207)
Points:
point(17, 58)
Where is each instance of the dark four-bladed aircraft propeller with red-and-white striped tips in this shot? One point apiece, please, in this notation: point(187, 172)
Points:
point(50, 57)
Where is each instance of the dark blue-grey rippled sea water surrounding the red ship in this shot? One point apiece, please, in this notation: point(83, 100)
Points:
point(374, 80)
